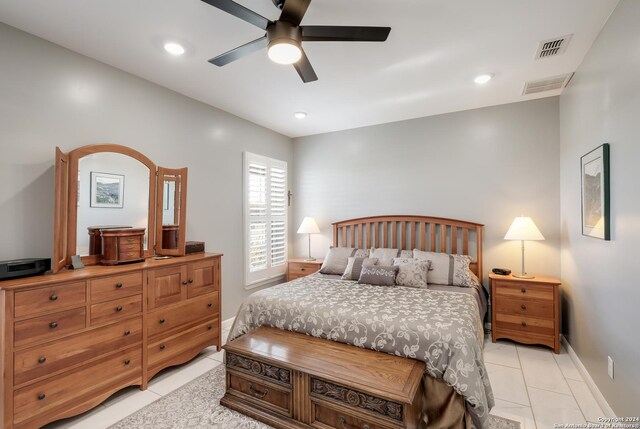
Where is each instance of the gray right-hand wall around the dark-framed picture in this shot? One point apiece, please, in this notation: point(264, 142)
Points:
point(601, 294)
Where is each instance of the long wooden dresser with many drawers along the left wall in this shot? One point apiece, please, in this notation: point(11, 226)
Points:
point(70, 340)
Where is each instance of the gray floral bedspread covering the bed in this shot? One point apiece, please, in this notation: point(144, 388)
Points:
point(442, 329)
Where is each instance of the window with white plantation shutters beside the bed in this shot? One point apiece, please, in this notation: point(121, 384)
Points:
point(265, 218)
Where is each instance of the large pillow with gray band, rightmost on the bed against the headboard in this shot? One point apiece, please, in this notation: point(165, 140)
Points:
point(447, 269)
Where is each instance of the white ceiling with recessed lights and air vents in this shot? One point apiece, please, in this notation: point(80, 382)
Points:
point(426, 67)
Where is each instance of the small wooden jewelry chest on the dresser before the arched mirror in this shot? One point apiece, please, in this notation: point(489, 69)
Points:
point(120, 246)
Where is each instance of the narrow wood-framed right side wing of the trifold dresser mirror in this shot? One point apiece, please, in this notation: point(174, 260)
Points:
point(170, 212)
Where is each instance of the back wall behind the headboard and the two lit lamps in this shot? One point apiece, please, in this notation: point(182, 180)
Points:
point(487, 165)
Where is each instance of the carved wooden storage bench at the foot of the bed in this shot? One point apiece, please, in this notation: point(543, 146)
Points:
point(291, 380)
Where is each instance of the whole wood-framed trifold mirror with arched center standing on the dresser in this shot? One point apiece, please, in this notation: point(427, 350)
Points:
point(106, 193)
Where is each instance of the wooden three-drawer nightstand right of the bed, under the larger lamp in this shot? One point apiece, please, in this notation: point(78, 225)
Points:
point(526, 310)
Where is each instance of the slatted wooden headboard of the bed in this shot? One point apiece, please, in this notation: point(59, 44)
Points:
point(434, 234)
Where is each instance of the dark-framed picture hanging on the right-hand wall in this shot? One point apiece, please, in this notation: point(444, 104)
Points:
point(594, 170)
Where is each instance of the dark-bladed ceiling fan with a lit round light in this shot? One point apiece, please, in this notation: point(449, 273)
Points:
point(284, 36)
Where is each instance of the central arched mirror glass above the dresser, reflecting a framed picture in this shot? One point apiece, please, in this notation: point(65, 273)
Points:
point(113, 191)
